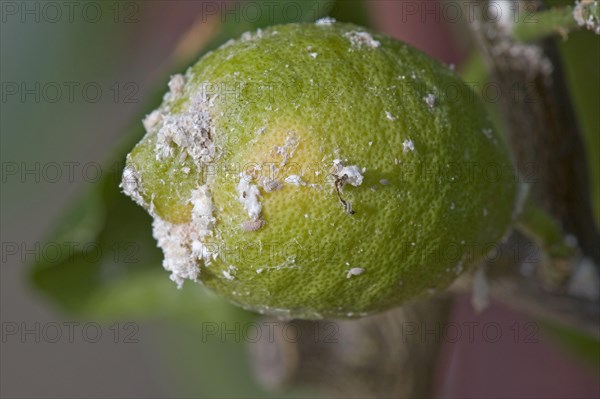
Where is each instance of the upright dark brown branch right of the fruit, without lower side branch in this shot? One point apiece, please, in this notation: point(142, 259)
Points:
point(542, 128)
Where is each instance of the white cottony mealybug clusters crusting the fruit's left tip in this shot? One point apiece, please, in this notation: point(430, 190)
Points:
point(190, 131)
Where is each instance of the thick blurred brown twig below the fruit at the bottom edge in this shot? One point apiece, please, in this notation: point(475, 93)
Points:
point(390, 354)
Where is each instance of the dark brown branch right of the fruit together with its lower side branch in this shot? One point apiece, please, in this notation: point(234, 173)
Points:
point(544, 135)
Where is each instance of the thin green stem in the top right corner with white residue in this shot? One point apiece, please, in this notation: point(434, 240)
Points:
point(559, 20)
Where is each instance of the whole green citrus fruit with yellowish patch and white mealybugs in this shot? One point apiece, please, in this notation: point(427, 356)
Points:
point(278, 105)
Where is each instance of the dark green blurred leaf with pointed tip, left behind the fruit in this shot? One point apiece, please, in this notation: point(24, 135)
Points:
point(122, 243)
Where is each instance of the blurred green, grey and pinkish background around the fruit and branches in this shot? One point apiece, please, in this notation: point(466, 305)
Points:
point(86, 309)
